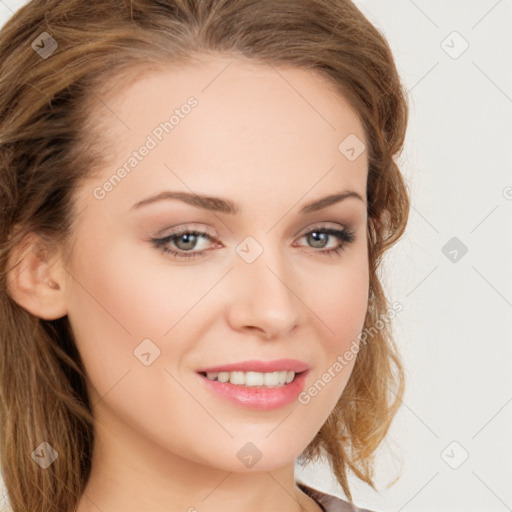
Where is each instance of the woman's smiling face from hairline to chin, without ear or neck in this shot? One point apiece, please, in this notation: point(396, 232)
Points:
point(263, 280)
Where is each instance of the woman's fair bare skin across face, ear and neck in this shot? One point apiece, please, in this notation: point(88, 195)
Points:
point(163, 440)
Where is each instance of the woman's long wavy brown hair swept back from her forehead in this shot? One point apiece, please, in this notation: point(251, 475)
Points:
point(47, 147)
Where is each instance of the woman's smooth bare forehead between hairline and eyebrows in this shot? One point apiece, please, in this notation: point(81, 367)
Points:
point(252, 125)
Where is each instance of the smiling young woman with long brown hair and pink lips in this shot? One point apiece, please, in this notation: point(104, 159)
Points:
point(196, 196)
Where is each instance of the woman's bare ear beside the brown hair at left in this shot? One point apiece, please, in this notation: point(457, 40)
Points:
point(36, 281)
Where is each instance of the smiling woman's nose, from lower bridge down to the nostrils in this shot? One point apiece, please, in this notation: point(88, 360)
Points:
point(264, 298)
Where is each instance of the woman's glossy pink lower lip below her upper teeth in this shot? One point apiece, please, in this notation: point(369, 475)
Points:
point(259, 398)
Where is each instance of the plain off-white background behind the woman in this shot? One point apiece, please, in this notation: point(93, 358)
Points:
point(450, 443)
